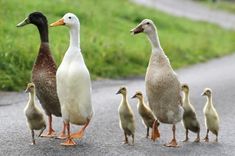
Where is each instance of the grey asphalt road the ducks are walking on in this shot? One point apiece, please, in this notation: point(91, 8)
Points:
point(104, 137)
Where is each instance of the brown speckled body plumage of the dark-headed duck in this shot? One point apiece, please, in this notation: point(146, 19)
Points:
point(44, 78)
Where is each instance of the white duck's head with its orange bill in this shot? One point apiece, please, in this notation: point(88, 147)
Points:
point(68, 19)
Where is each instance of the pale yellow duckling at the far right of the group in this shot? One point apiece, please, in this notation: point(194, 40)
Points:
point(211, 116)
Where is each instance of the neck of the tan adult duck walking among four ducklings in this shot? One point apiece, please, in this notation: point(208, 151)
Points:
point(154, 40)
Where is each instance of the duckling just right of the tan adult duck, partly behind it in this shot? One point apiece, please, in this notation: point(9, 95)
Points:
point(190, 120)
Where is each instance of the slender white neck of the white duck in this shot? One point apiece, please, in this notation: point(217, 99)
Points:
point(74, 36)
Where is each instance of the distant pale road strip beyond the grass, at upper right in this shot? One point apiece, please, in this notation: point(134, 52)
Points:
point(192, 10)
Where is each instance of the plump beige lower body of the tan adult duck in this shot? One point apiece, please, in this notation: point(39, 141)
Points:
point(163, 92)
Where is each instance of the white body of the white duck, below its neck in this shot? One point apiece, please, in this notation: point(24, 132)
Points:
point(74, 90)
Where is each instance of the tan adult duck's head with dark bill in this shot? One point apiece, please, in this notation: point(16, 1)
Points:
point(146, 26)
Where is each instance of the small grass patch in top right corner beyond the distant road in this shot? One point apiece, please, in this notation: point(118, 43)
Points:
point(228, 6)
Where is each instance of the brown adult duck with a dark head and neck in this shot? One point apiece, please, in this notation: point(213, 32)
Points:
point(44, 73)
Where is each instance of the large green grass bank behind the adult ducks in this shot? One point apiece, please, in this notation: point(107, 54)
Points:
point(108, 48)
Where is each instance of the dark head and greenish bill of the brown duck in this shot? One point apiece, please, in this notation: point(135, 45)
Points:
point(36, 18)
